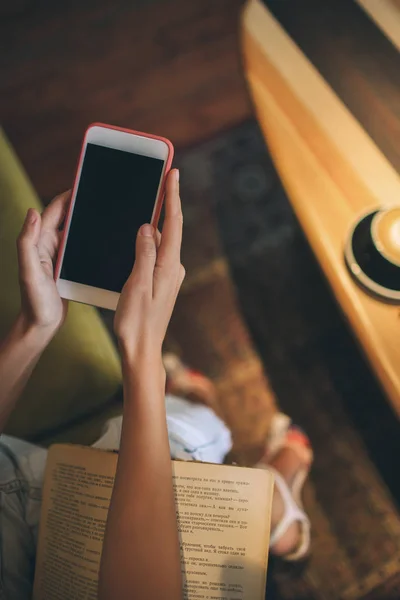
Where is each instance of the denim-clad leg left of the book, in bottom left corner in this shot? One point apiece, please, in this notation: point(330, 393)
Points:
point(22, 468)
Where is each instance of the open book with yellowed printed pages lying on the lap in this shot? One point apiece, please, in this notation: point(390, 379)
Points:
point(223, 519)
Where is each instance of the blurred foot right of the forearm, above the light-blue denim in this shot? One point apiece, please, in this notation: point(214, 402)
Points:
point(188, 383)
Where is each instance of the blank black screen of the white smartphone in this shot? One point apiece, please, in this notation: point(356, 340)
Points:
point(116, 195)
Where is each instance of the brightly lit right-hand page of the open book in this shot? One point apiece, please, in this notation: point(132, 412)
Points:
point(224, 523)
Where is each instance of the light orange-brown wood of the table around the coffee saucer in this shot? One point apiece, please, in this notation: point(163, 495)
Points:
point(331, 168)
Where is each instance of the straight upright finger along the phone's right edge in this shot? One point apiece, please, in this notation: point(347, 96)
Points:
point(171, 239)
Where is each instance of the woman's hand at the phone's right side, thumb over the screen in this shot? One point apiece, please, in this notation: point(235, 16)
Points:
point(148, 297)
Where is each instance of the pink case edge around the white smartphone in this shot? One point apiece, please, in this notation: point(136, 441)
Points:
point(159, 199)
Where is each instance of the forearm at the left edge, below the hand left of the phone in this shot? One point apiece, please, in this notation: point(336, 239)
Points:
point(19, 353)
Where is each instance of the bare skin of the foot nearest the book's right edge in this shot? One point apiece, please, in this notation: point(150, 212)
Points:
point(294, 456)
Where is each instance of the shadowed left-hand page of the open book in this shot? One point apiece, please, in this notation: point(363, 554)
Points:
point(76, 496)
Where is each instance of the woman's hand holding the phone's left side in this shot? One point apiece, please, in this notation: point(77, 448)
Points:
point(42, 308)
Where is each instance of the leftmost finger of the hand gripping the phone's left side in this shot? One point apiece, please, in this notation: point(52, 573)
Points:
point(27, 246)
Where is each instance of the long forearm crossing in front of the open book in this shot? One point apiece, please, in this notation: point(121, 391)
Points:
point(141, 556)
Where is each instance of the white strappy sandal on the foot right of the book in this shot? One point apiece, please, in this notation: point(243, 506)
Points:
point(284, 434)
